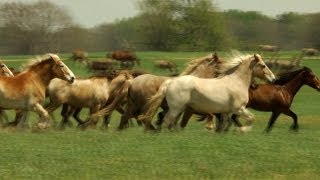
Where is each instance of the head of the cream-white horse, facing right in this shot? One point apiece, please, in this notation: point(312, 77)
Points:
point(261, 70)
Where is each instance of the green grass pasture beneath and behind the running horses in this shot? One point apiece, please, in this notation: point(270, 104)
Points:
point(193, 153)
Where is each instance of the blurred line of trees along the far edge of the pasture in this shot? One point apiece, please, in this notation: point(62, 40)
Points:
point(171, 25)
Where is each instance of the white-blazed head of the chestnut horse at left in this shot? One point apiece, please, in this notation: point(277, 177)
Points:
point(60, 70)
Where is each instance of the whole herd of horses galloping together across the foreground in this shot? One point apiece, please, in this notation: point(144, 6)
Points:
point(208, 87)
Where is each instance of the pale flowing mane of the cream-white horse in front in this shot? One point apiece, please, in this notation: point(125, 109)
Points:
point(236, 58)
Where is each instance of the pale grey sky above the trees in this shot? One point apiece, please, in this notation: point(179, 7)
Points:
point(90, 13)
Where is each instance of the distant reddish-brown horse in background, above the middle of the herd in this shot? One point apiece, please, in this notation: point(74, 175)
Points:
point(126, 58)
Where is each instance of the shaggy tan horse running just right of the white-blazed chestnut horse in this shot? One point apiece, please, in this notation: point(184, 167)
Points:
point(91, 93)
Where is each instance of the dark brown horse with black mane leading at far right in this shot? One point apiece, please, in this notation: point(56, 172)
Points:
point(278, 96)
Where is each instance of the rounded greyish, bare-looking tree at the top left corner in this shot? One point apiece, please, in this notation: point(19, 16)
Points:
point(29, 27)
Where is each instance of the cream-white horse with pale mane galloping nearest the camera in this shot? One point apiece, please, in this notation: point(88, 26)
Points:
point(226, 94)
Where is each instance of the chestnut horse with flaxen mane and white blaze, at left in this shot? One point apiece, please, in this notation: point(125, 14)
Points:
point(26, 91)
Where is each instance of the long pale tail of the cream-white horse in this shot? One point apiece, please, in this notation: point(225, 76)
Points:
point(154, 103)
